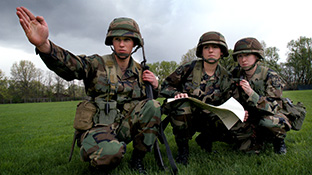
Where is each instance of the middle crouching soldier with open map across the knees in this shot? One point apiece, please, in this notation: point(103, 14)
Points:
point(204, 79)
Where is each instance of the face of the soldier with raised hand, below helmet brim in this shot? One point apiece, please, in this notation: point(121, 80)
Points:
point(123, 45)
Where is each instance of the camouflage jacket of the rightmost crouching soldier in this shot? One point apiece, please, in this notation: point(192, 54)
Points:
point(267, 86)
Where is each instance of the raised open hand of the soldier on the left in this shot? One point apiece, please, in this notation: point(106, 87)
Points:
point(35, 28)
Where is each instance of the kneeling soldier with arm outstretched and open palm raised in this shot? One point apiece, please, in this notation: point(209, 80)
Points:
point(118, 110)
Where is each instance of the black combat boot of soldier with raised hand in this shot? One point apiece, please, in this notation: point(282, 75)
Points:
point(136, 161)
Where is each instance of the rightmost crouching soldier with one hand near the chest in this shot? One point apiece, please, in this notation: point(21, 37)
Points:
point(260, 92)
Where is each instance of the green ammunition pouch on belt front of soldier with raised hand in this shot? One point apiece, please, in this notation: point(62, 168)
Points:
point(108, 112)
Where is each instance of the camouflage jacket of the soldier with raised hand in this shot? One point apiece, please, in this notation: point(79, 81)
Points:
point(91, 70)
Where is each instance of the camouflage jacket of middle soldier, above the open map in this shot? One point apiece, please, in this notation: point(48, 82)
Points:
point(214, 89)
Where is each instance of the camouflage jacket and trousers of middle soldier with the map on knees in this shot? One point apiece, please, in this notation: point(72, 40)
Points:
point(186, 117)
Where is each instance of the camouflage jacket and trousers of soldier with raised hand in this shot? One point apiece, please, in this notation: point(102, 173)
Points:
point(141, 126)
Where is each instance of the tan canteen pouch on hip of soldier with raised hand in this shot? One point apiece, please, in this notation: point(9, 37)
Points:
point(85, 112)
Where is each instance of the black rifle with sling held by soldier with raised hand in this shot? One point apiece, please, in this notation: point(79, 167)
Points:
point(161, 136)
